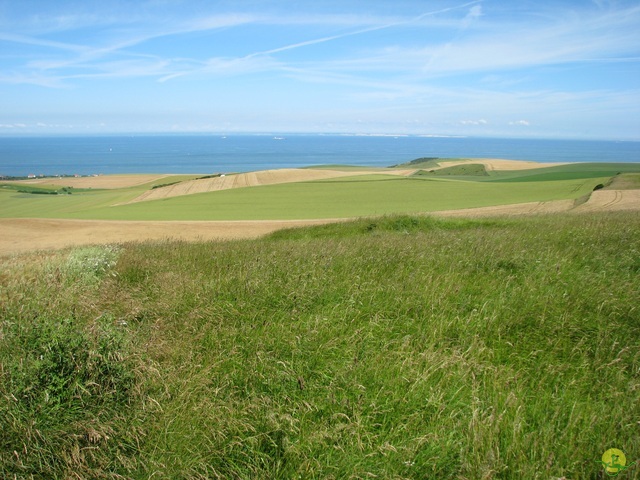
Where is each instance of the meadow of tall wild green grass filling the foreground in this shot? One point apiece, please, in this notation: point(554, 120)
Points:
point(394, 347)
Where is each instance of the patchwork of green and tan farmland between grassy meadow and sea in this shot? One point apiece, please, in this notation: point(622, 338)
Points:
point(54, 213)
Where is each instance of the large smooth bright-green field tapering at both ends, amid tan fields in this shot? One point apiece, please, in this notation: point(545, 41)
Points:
point(346, 197)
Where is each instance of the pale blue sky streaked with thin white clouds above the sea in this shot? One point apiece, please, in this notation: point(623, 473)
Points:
point(520, 68)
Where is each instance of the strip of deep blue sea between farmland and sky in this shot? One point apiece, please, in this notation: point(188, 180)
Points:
point(212, 153)
